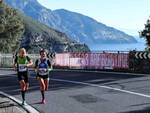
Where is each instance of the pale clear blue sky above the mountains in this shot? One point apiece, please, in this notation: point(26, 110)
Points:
point(126, 15)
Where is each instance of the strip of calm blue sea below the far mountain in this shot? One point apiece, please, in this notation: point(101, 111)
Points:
point(140, 46)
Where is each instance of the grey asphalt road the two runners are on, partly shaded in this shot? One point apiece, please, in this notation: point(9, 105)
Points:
point(85, 92)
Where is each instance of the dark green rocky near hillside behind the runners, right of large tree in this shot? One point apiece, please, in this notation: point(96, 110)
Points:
point(38, 36)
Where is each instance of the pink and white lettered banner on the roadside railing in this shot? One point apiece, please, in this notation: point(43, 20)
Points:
point(101, 60)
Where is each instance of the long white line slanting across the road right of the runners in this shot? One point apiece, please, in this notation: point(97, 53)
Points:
point(101, 86)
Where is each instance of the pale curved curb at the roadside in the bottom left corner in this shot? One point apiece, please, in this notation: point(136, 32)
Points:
point(27, 107)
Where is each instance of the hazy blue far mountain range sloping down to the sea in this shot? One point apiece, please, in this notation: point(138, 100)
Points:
point(77, 26)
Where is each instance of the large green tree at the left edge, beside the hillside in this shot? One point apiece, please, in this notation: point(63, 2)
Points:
point(11, 28)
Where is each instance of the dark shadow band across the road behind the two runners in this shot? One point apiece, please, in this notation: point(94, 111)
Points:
point(11, 85)
